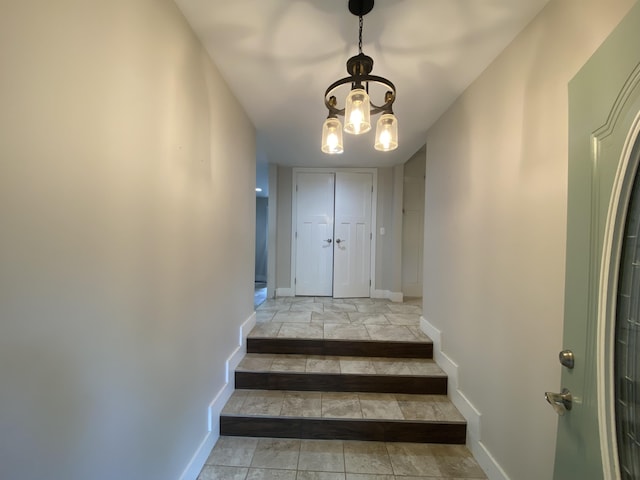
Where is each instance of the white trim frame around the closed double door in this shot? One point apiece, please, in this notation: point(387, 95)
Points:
point(294, 212)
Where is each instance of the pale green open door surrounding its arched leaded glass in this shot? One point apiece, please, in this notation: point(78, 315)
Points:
point(604, 103)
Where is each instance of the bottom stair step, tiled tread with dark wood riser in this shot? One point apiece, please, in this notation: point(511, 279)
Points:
point(345, 416)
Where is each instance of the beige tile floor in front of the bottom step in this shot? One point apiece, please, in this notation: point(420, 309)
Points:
point(243, 458)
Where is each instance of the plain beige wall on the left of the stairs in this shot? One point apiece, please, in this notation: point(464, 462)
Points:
point(124, 275)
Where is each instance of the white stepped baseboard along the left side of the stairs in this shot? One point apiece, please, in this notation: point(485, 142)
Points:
point(196, 463)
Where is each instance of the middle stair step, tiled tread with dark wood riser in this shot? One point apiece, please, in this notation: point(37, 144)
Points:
point(341, 374)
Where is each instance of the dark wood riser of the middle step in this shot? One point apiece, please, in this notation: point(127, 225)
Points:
point(341, 383)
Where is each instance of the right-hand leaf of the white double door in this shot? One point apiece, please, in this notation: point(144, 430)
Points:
point(352, 243)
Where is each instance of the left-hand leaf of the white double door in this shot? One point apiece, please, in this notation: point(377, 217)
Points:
point(314, 234)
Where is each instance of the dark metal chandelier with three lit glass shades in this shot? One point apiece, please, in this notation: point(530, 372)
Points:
point(358, 106)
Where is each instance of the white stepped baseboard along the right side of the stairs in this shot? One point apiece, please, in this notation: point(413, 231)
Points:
point(474, 418)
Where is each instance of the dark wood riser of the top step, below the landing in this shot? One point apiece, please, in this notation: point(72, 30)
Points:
point(356, 348)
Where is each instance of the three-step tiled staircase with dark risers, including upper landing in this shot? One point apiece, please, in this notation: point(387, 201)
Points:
point(333, 369)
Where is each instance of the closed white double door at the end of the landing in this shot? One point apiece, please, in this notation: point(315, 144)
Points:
point(332, 223)
